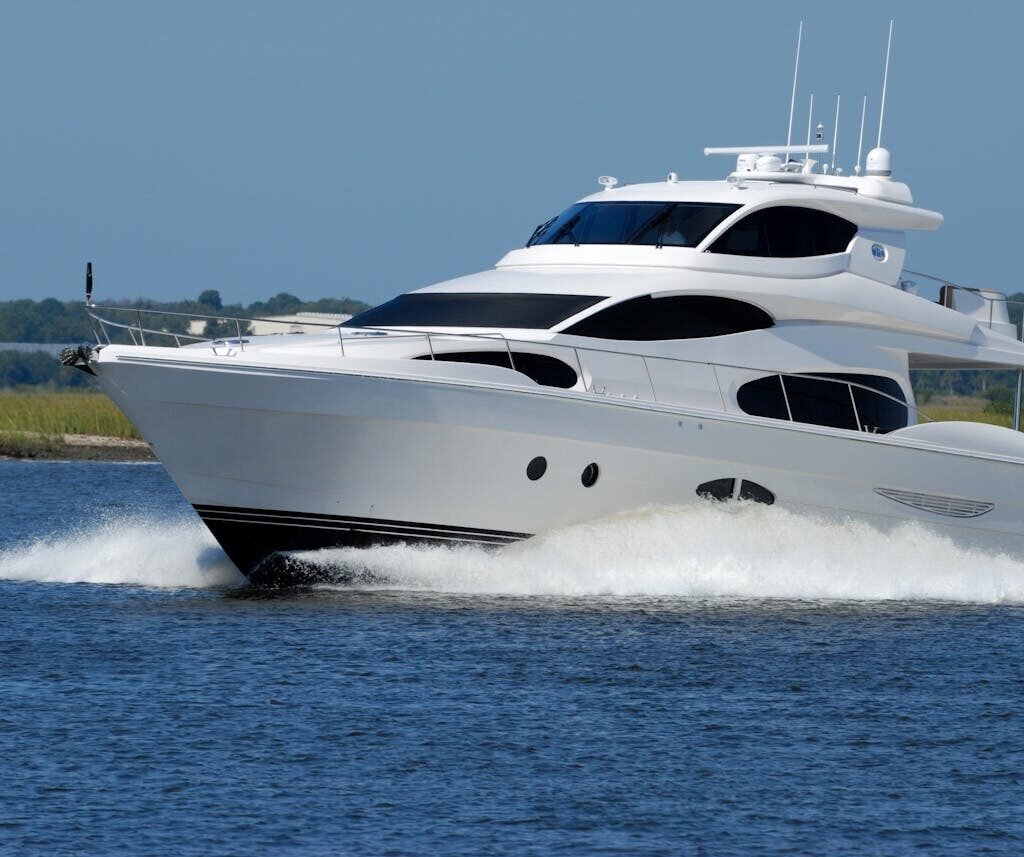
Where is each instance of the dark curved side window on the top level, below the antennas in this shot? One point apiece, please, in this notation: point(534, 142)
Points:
point(787, 232)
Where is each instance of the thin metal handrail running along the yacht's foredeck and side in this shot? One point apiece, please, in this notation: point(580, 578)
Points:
point(541, 347)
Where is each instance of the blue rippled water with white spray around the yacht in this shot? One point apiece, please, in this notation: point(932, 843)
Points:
point(671, 682)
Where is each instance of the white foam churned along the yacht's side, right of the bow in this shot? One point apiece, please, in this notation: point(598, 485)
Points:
point(704, 551)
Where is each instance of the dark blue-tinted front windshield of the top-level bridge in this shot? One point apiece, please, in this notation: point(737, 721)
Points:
point(658, 225)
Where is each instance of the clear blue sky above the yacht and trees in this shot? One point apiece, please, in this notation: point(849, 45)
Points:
point(342, 149)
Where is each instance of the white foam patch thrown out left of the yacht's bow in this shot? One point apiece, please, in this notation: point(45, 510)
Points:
point(127, 551)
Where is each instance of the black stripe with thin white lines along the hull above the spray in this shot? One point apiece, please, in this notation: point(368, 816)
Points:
point(372, 527)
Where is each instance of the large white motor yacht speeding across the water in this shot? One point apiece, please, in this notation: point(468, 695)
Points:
point(665, 344)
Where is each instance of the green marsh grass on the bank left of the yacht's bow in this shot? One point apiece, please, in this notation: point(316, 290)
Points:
point(50, 415)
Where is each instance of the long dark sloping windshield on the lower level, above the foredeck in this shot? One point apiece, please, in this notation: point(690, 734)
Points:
point(474, 310)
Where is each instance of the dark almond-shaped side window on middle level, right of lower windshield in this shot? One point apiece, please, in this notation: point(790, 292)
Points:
point(679, 317)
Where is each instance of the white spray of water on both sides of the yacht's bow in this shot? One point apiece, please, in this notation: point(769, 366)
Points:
point(704, 551)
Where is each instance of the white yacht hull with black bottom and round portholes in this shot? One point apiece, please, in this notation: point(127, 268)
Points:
point(281, 460)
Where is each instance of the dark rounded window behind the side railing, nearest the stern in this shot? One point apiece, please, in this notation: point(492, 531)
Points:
point(826, 403)
